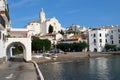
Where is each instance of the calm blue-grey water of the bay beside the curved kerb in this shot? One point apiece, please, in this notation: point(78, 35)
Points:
point(100, 68)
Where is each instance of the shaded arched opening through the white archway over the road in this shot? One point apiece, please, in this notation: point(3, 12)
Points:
point(15, 50)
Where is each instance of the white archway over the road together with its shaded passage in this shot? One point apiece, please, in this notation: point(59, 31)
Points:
point(23, 45)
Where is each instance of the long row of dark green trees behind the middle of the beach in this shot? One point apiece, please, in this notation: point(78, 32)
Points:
point(72, 46)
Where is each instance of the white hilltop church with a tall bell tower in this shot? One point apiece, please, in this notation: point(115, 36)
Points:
point(43, 25)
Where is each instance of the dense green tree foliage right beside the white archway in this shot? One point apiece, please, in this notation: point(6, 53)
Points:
point(41, 44)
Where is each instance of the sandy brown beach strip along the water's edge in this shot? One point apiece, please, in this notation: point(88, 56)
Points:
point(71, 56)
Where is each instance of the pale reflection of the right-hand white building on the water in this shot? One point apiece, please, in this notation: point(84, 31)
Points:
point(98, 68)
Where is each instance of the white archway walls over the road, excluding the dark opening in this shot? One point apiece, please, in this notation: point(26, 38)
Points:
point(25, 43)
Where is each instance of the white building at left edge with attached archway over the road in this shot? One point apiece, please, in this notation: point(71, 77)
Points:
point(18, 36)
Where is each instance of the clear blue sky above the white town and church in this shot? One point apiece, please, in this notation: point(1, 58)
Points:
point(89, 13)
